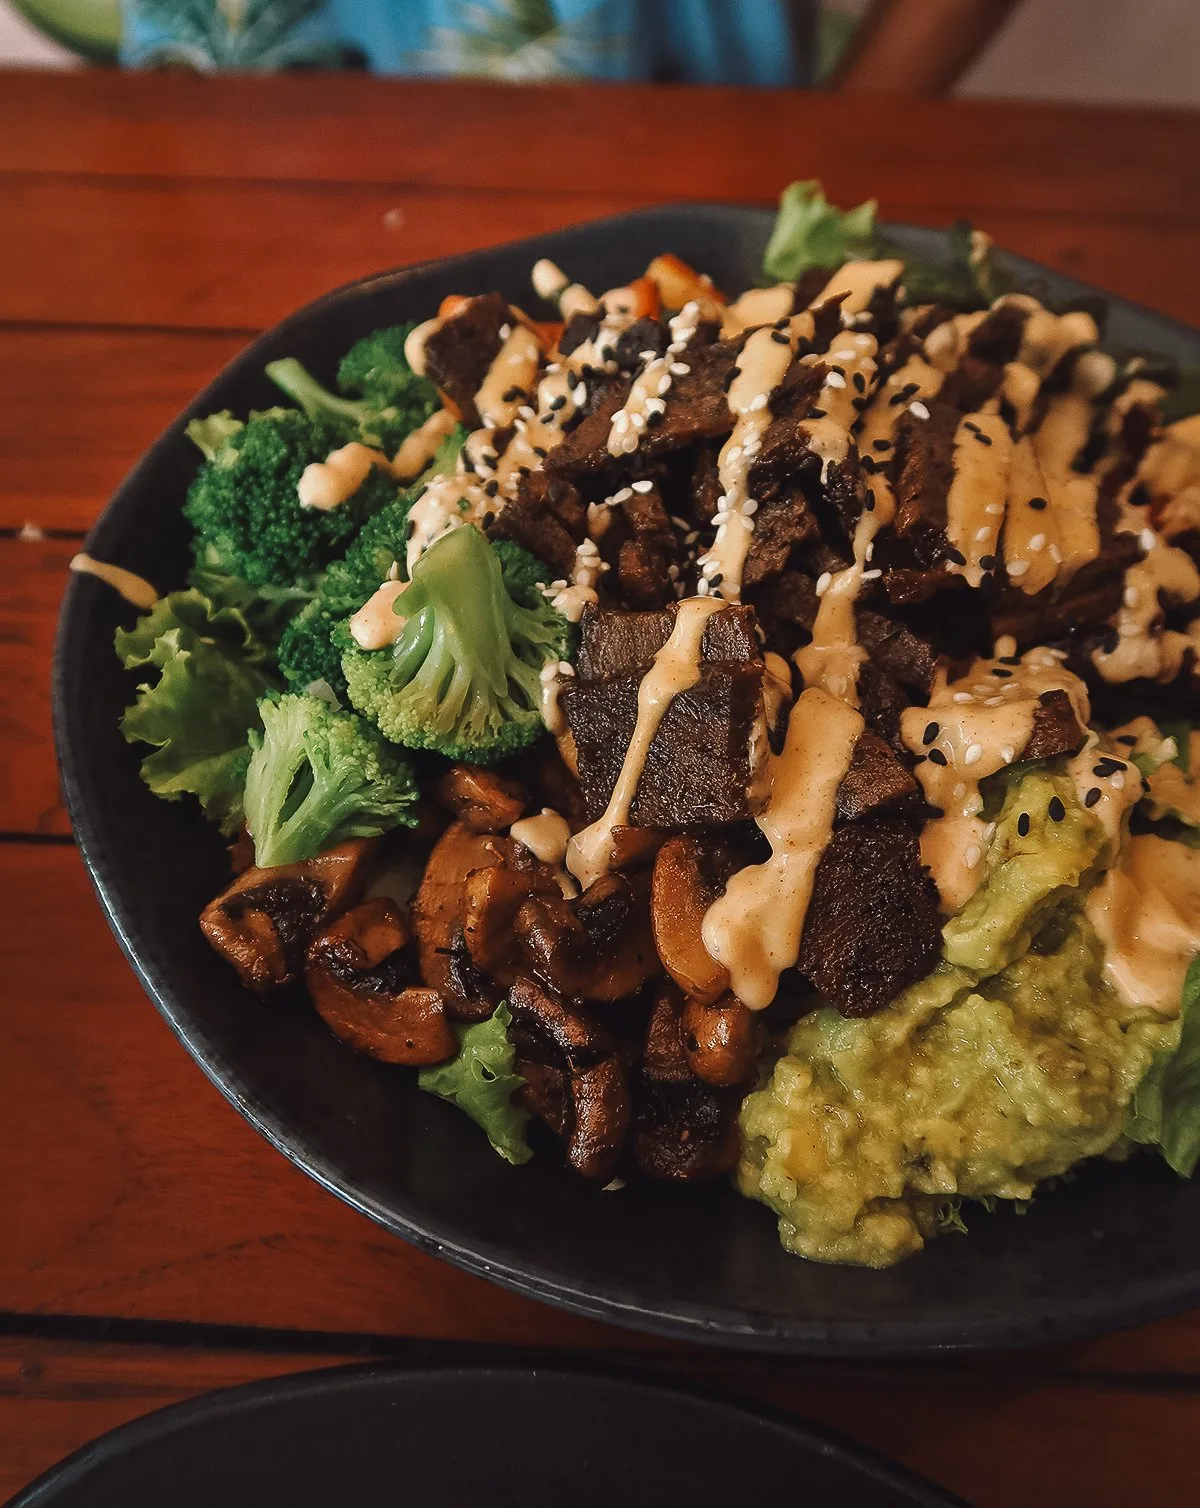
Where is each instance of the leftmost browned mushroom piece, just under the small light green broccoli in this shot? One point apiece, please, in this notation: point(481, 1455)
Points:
point(265, 922)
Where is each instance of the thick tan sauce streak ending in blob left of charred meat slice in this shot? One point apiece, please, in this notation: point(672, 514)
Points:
point(756, 928)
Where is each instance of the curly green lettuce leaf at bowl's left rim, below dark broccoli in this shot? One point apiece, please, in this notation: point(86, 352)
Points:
point(212, 672)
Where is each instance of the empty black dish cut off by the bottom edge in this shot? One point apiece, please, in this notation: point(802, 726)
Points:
point(536, 1439)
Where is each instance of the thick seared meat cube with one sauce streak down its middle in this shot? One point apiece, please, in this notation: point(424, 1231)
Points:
point(703, 759)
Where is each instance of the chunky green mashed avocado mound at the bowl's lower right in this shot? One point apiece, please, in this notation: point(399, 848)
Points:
point(1008, 1065)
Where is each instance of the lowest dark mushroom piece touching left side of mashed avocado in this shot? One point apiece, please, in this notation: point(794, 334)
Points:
point(685, 1130)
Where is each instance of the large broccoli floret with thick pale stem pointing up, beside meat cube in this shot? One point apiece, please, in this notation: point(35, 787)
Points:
point(464, 675)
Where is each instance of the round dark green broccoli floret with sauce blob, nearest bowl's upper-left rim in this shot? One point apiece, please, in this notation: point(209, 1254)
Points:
point(246, 512)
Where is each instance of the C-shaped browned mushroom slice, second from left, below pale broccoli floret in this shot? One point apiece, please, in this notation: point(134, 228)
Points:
point(361, 985)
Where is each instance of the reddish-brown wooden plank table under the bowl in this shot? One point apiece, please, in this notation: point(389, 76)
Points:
point(152, 1246)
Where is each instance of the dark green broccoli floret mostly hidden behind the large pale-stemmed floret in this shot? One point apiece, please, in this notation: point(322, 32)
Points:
point(310, 649)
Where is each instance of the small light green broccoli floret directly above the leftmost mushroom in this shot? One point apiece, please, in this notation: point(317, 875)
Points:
point(319, 777)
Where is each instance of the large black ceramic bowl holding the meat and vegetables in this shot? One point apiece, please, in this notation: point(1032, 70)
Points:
point(1119, 1246)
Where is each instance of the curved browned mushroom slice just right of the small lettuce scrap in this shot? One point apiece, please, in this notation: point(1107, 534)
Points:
point(596, 1109)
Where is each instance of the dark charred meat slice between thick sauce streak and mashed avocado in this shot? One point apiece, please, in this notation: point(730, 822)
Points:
point(874, 925)
